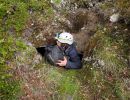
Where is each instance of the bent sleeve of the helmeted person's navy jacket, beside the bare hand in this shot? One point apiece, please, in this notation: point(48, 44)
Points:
point(74, 61)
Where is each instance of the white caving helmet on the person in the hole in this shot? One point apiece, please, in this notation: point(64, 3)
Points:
point(65, 38)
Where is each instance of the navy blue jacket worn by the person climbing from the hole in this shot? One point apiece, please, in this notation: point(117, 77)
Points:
point(73, 58)
